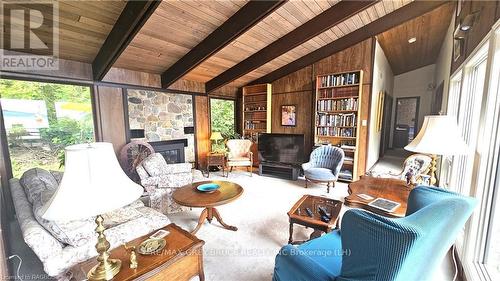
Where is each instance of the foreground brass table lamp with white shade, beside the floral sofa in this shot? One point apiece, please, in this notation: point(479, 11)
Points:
point(93, 184)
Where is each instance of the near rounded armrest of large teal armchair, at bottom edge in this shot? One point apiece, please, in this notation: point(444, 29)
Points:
point(294, 264)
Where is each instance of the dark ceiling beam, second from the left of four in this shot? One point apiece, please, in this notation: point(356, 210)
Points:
point(246, 17)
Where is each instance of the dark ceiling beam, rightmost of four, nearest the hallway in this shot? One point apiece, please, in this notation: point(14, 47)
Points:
point(399, 16)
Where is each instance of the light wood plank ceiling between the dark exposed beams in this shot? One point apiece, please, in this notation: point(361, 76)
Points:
point(166, 35)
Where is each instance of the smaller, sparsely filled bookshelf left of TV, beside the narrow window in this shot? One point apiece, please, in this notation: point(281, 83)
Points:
point(256, 110)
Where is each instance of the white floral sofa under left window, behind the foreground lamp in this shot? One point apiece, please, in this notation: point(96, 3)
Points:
point(61, 245)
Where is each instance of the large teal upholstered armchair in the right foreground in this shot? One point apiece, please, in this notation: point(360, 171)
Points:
point(376, 248)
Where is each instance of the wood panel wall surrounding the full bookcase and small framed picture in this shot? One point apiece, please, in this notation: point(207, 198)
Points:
point(299, 88)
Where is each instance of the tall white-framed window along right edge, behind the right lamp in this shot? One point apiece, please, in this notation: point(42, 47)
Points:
point(474, 99)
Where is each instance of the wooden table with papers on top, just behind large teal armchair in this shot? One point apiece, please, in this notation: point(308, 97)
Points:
point(387, 188)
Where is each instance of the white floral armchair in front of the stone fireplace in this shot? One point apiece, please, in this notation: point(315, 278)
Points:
point(160, 180)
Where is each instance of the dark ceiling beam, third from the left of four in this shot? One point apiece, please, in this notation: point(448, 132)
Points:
point(294, 38)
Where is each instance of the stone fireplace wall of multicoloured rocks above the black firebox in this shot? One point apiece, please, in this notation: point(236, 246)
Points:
point(163, 116)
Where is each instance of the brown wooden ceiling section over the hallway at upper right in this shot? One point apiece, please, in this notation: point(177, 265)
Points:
point(429, 30)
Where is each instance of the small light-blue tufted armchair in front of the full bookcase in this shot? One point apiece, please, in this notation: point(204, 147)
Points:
point(324, 165)
